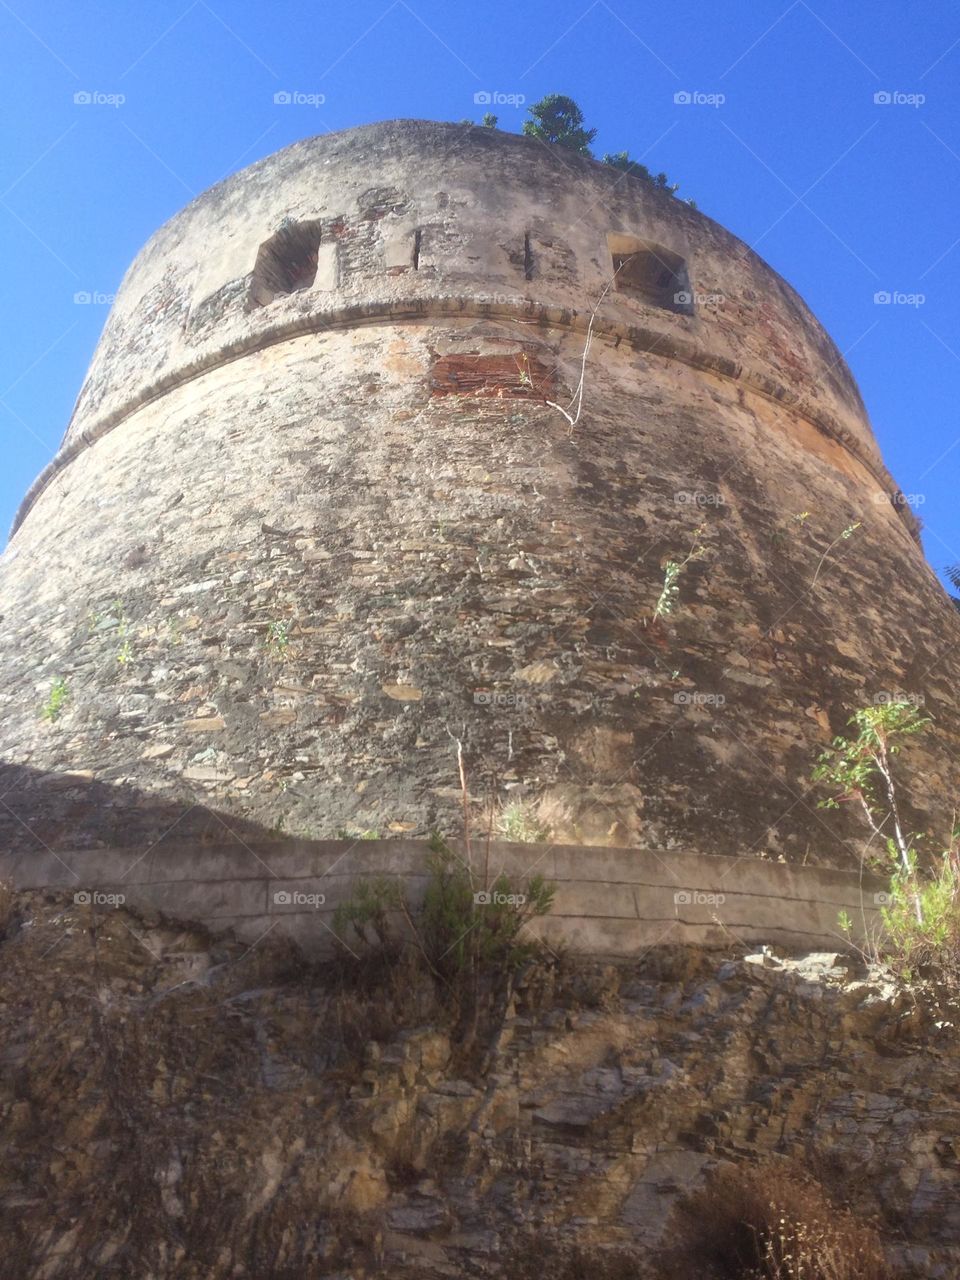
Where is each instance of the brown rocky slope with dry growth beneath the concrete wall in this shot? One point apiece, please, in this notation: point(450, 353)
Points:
point(182, 1107)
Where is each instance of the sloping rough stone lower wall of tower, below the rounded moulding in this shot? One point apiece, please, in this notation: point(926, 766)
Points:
point(337, 572)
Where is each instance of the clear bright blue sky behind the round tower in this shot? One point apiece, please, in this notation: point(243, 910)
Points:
point(843, 195)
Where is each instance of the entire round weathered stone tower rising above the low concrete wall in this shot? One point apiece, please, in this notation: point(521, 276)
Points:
point(333, 500)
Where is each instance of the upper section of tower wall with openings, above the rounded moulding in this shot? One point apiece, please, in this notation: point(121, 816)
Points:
point(417, 216)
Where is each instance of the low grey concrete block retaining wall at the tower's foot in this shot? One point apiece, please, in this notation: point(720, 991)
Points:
point(609, 902)
